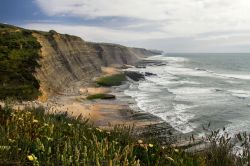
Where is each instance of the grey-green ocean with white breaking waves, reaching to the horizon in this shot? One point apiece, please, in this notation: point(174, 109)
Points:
point(192, 90)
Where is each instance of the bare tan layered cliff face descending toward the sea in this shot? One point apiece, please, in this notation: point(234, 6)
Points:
point(66, 59)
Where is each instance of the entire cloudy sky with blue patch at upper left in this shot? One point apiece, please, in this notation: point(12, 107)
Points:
point(169, 25)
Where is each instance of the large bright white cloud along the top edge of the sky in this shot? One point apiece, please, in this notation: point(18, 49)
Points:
point(187, 17)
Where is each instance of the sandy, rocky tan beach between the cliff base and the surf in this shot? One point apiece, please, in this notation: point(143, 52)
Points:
point(108, 113)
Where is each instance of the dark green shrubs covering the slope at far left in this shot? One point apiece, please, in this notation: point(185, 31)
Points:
point(18, 60)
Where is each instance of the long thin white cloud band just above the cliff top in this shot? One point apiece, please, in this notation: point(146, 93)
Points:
point(94, 33)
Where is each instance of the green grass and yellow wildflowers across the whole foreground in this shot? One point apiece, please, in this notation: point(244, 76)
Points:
point(34, 137)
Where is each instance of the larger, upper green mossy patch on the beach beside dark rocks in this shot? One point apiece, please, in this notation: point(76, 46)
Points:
point(113, 80)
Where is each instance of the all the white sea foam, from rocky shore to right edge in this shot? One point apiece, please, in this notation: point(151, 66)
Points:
point(174, 78)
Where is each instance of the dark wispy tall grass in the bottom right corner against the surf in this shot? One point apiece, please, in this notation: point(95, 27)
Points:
point(223, 149)
